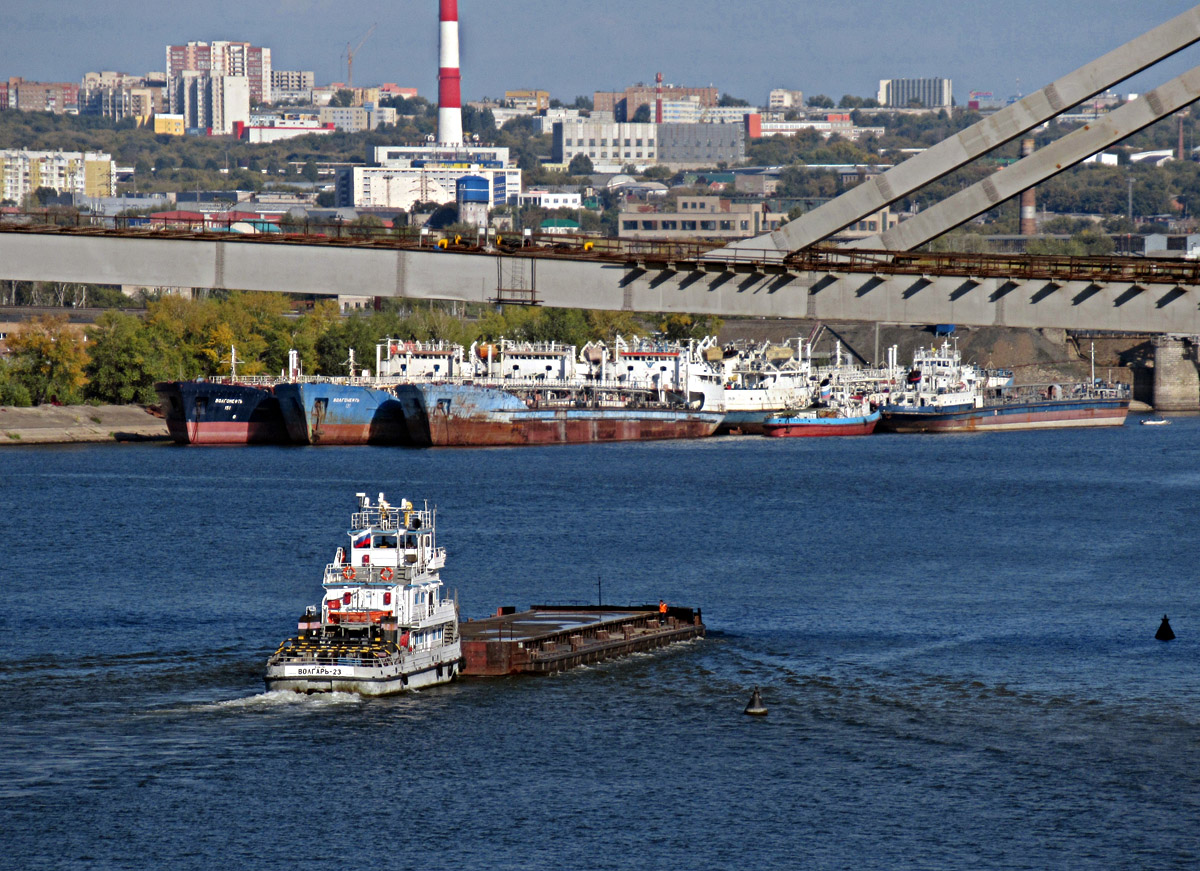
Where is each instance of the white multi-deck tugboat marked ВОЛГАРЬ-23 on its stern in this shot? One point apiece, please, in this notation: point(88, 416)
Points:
point(383, 626)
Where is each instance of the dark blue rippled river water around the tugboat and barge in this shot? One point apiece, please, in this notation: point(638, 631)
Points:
point(955, 635)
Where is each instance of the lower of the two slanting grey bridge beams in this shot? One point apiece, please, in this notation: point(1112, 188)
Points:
point(1042, 165)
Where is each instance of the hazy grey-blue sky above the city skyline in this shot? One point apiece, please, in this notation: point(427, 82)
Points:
point(571, 47)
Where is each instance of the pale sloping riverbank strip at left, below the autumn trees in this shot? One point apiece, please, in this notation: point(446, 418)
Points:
point(69, 424)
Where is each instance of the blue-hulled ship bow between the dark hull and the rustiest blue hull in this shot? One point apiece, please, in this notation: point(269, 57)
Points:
point(335, 413)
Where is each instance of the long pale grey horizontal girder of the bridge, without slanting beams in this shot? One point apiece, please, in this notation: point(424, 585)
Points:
point(769, 291)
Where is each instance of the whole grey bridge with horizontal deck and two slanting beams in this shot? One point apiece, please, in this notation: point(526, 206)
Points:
point(793, 273)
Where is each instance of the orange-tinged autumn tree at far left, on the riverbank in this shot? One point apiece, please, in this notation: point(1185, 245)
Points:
point(49, 359)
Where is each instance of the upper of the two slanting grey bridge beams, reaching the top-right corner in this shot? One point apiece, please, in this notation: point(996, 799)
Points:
point(1004, 127)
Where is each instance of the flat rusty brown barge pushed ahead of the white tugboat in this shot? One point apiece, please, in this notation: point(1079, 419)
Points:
point(550, 639)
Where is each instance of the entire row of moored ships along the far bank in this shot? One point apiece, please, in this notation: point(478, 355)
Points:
point(440, 394)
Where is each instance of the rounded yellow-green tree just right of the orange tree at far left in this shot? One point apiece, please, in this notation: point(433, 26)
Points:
point(124, 363)
